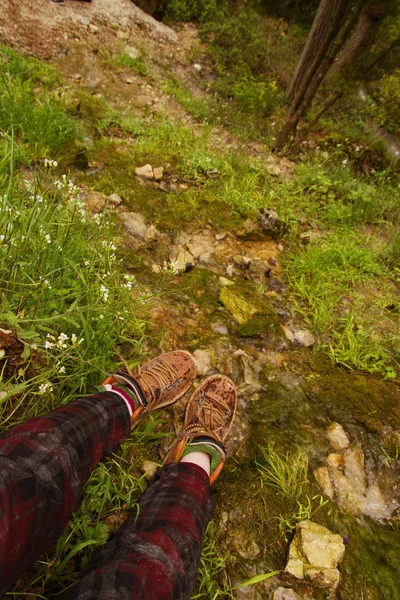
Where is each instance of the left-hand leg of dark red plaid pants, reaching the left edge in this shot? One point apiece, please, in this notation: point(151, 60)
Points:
point(43, 465)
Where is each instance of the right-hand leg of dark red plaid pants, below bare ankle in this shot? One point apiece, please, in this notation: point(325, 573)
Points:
point(156, 554)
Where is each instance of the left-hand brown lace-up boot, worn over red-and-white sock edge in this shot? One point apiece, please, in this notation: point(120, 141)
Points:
point(158, 383)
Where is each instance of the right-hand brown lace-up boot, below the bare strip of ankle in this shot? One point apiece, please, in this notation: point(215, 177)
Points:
point(208, 420)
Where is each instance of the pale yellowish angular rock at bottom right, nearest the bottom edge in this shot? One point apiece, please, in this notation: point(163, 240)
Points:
point(314, 554)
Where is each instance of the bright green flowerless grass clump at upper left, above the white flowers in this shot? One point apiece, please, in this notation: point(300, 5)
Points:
point(37, 119)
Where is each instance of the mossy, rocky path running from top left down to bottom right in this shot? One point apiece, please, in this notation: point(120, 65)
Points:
point(221, 293)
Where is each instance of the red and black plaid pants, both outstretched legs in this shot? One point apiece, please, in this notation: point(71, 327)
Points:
point(43, 465)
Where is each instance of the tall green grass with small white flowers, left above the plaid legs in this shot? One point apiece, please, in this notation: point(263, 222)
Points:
point(62, 291)
